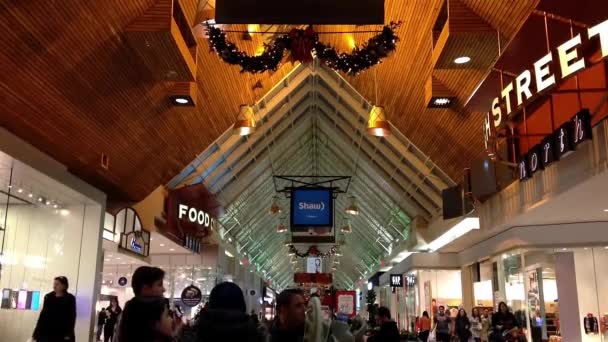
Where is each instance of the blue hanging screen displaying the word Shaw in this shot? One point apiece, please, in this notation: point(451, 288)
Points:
point(312, 207)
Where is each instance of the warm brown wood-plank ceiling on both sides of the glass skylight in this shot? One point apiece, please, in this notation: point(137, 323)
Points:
point(74, 88)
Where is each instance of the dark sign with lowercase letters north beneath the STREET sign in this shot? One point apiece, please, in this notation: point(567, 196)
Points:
point(557, 145)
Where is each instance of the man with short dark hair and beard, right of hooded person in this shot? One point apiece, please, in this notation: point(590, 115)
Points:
point(290, 321)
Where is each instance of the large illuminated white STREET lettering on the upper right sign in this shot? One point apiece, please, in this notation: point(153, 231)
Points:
point(568, 63)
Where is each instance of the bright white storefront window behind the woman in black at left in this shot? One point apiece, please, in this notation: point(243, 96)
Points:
point(46, 230)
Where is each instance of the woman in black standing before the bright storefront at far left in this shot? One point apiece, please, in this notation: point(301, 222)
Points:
point(58, 315)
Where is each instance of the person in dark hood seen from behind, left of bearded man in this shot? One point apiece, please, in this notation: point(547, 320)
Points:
point(225, 319)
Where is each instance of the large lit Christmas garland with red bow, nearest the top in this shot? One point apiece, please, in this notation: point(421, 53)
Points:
point(302, 43)
